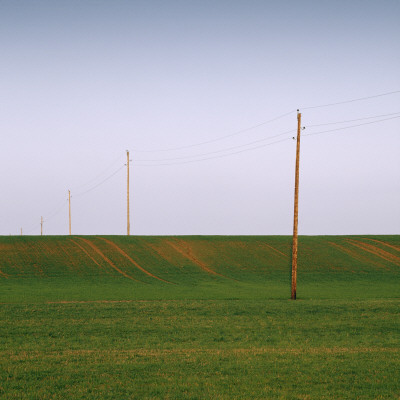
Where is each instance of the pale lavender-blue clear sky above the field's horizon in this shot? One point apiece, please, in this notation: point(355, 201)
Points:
point(204, 96)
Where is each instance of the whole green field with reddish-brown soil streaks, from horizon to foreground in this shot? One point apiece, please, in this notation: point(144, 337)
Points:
point(199, 317)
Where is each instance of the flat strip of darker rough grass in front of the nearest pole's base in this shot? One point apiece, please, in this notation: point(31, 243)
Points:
point(195, 349)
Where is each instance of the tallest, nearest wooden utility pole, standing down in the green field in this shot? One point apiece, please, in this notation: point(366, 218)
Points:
point(296, 211)
